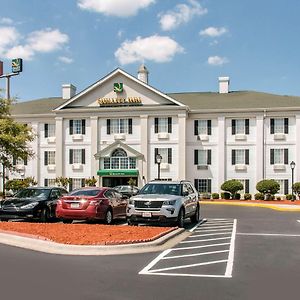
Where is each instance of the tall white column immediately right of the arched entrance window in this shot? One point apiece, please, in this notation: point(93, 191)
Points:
point(144, 149)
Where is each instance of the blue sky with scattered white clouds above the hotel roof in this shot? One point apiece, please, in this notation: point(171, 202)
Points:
point(185, 44)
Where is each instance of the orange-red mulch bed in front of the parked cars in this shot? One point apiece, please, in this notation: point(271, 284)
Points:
point(85, 234)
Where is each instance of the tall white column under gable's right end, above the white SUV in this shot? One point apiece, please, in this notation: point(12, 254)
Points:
point(182, 146)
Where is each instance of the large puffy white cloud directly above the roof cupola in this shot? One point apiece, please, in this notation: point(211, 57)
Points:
point(156, 48)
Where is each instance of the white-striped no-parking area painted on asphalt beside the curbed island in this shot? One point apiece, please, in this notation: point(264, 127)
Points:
point(207, 252)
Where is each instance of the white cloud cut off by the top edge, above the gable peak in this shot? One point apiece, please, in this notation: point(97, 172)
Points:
point(118, 8)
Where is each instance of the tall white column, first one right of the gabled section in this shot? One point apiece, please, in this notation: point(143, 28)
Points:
point(221, 151)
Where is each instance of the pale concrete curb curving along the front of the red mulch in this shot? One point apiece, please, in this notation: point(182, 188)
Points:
point(160, 244)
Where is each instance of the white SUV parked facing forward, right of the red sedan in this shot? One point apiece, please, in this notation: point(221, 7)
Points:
point(164, 202)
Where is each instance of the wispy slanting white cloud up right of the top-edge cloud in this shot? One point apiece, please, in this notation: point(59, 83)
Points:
point(181, 14)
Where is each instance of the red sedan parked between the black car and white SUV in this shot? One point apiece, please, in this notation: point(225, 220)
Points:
point(91, 203)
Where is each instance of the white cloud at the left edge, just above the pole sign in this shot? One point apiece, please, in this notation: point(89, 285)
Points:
point(12, 44)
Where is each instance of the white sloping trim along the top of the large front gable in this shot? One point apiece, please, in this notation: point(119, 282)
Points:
point(109, 76)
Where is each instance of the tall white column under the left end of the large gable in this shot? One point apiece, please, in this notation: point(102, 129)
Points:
point(59, 152)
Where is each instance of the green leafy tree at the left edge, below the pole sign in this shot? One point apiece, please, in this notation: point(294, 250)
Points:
point(14, 139)
